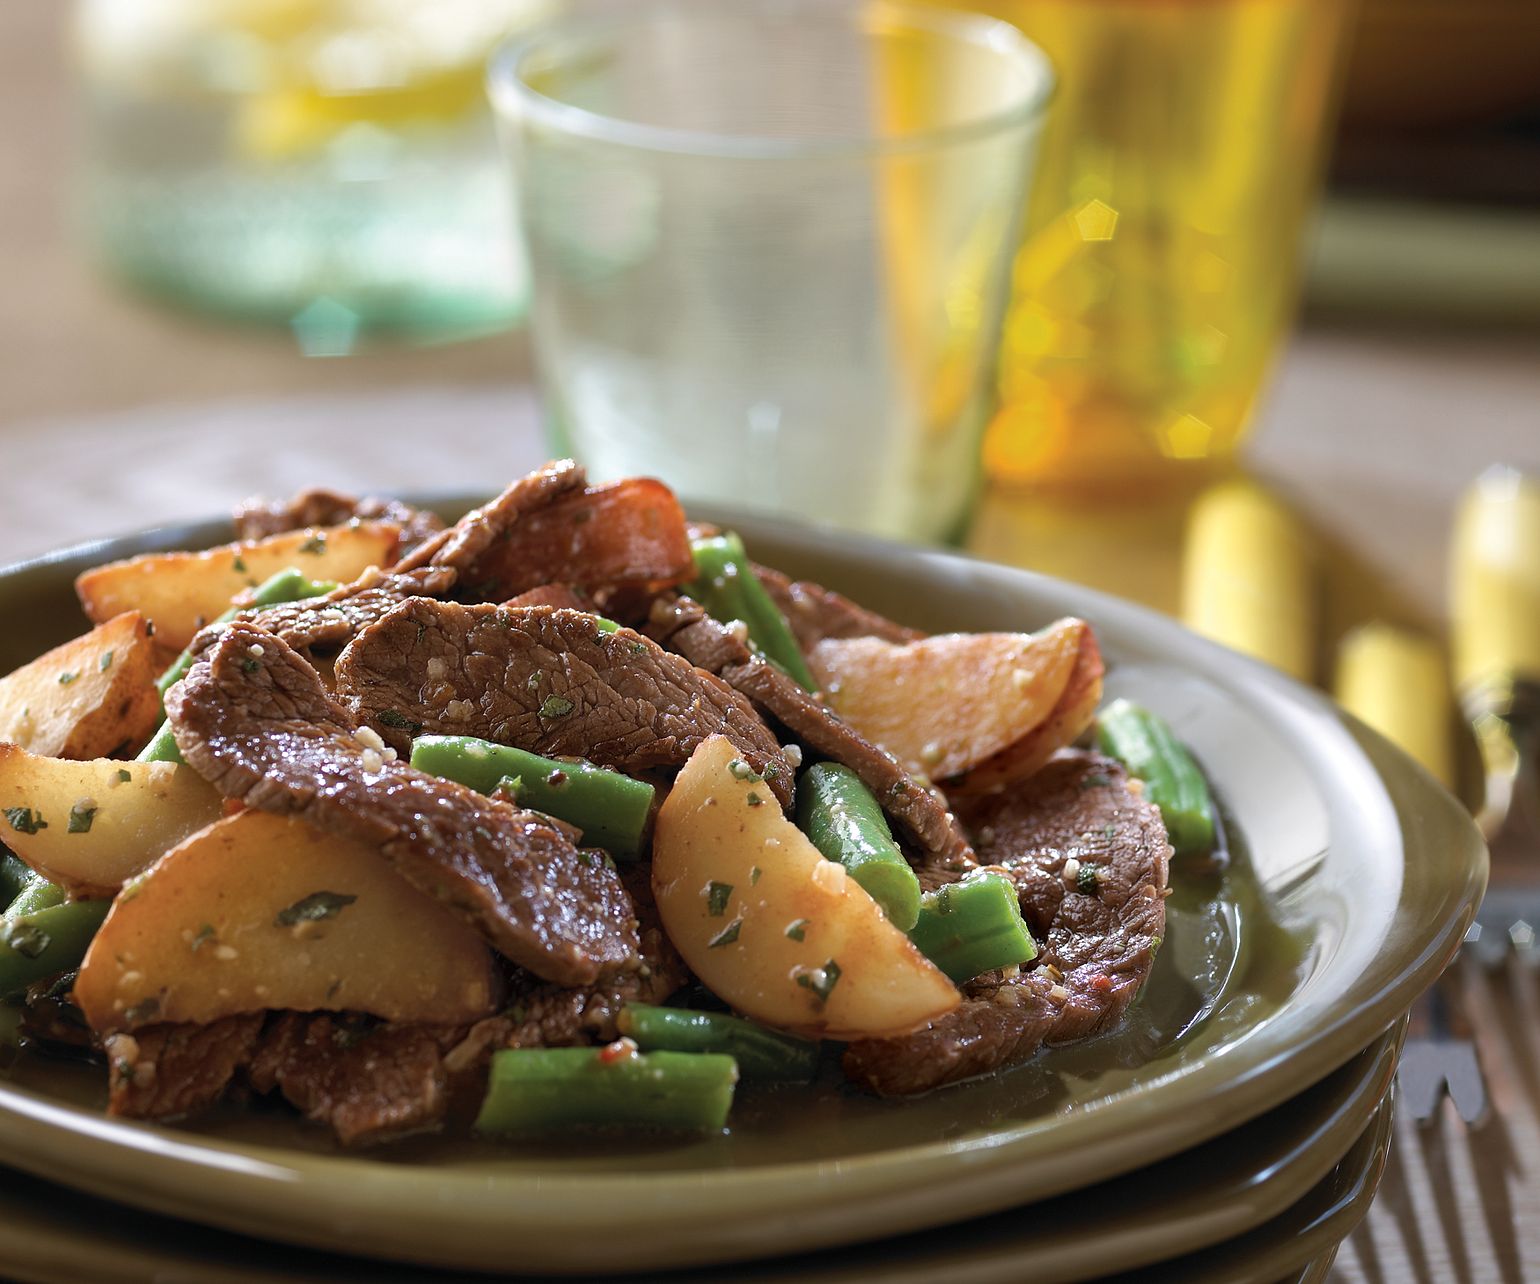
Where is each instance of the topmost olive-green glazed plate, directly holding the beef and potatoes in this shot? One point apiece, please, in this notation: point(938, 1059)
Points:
point(1350, 891)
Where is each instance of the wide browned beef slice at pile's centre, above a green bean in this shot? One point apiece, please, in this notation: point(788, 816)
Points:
point(549, 681)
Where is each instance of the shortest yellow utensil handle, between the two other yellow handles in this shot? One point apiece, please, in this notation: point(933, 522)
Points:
point(1398, 683)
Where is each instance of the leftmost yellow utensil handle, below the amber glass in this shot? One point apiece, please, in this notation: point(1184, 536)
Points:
point(1250, 578)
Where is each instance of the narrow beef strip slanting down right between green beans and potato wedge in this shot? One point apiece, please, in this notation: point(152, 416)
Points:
point(685, 626)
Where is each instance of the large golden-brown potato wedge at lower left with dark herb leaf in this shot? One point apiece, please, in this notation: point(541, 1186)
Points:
point(264, 912)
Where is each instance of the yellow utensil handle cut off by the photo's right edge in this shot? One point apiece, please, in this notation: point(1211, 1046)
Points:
point(1496, 584)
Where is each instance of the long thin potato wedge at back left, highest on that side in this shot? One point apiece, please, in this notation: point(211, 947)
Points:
point(182, 592)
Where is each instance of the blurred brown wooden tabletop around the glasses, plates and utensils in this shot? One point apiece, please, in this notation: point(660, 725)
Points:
point(115, 415)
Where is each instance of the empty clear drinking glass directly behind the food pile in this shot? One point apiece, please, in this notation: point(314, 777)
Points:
point(758, 270)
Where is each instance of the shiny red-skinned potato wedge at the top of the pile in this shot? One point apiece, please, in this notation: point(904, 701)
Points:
point(626, 533)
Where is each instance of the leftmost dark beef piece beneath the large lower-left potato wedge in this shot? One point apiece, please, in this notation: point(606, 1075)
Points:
point(169, 1072)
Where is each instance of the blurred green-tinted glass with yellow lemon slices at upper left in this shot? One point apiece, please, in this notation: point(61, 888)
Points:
point(320, 164)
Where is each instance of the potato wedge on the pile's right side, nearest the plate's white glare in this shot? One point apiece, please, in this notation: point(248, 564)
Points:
point(946, 704)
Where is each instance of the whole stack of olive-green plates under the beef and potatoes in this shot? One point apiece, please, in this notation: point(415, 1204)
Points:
point(1233, 1128)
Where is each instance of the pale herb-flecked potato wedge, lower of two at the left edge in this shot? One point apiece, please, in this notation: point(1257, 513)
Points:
point(93, 826)
